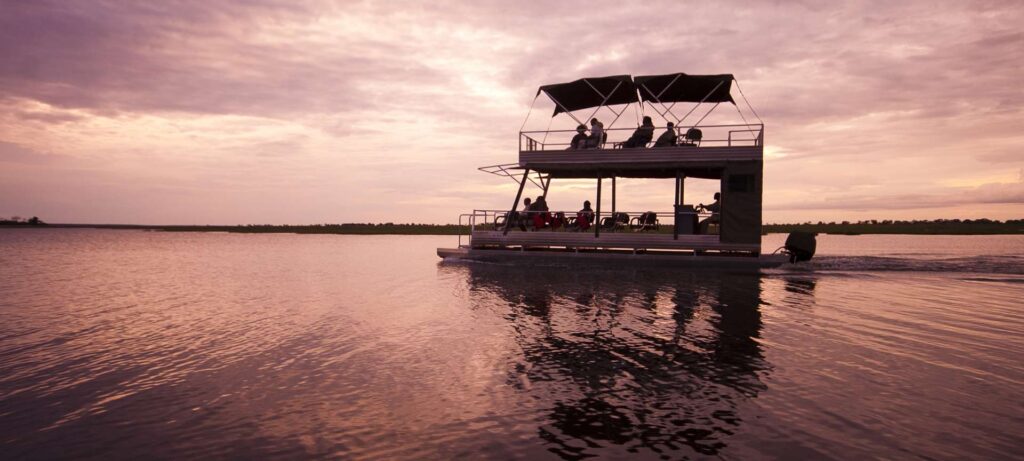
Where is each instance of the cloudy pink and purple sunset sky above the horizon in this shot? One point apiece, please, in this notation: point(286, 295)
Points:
point(286, 112)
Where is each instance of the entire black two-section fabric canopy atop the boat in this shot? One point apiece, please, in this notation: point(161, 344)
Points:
point(623, 90)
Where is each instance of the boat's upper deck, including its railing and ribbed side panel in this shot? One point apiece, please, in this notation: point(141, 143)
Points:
point(549, 152)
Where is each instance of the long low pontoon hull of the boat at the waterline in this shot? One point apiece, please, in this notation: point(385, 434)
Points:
point(613, 259)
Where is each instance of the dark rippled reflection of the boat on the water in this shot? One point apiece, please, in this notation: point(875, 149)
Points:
point(635, 362)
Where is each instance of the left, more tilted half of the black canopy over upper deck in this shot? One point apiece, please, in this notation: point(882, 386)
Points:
point(620, 90)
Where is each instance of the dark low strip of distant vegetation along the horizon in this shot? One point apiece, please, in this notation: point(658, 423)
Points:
point(936, 227)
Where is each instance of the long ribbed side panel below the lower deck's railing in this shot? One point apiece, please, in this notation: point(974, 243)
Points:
point(616, 240)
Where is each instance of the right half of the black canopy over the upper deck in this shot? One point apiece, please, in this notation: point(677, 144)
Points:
point(686, 89)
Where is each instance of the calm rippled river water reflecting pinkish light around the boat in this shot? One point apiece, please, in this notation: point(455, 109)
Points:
point(132, 345)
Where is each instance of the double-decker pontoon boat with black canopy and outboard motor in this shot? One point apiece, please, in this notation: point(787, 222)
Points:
point(734, 155)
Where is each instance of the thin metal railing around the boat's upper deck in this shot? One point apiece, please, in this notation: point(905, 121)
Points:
point(713, 136)
